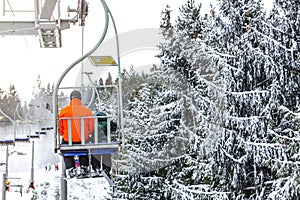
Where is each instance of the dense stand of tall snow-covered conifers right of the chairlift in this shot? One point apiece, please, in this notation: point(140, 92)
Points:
point(219, 118)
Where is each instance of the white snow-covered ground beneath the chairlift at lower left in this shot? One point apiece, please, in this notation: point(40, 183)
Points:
point(46, 178)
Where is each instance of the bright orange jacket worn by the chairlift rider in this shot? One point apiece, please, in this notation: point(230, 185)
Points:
point(75, 109)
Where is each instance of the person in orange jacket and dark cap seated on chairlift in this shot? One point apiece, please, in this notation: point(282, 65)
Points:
point(75, 109)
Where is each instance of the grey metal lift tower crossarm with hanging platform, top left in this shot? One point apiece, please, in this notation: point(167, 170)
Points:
point(44, 25)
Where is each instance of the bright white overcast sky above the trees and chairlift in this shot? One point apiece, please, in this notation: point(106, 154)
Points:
point(22, 60)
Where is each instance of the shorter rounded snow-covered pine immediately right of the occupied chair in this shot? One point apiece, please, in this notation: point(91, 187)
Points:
point(152, 119)
